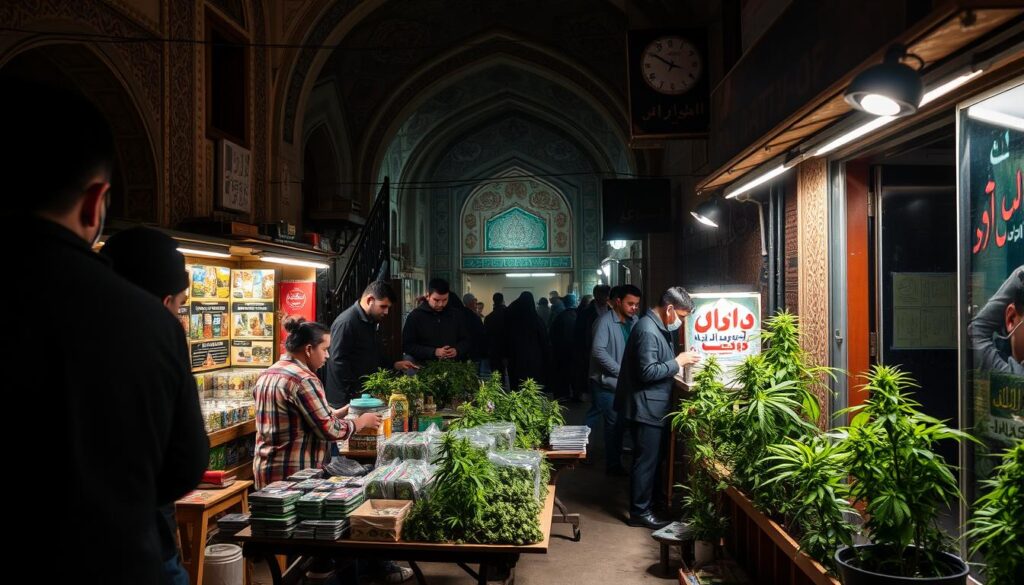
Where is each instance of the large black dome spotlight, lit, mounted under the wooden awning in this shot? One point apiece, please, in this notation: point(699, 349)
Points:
point(890, 89)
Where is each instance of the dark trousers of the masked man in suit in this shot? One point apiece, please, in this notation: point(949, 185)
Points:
point(648, 486)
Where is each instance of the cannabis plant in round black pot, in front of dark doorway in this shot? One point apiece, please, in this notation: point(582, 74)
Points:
point(904, 486)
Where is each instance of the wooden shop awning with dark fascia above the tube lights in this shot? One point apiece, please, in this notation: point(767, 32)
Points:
point(945, 32)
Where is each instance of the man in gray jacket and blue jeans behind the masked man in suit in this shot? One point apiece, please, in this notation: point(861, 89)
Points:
point(611, 332)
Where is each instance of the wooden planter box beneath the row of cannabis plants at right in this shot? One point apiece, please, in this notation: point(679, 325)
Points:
point(765, 551)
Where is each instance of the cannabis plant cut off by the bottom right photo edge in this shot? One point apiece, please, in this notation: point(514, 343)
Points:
point(998, 524)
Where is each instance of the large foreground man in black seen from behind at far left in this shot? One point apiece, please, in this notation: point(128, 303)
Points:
point(105, 367)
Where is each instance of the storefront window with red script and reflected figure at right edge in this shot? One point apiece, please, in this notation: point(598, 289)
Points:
point(992, 150)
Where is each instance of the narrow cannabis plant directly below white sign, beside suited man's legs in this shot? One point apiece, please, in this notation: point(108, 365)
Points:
point(700, 422)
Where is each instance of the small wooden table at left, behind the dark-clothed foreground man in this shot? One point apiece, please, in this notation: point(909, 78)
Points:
point(195, 512)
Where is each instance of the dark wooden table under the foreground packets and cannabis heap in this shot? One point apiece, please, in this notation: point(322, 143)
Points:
point(462, 555)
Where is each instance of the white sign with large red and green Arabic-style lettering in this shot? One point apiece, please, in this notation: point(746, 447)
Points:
point(727, 326)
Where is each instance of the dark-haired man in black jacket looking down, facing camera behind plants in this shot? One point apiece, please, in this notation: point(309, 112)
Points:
point(434, 331)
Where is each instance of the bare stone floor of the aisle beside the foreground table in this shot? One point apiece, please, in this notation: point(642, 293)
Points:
point(610, 552)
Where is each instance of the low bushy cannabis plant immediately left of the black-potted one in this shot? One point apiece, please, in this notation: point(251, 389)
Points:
point(815, 471)
